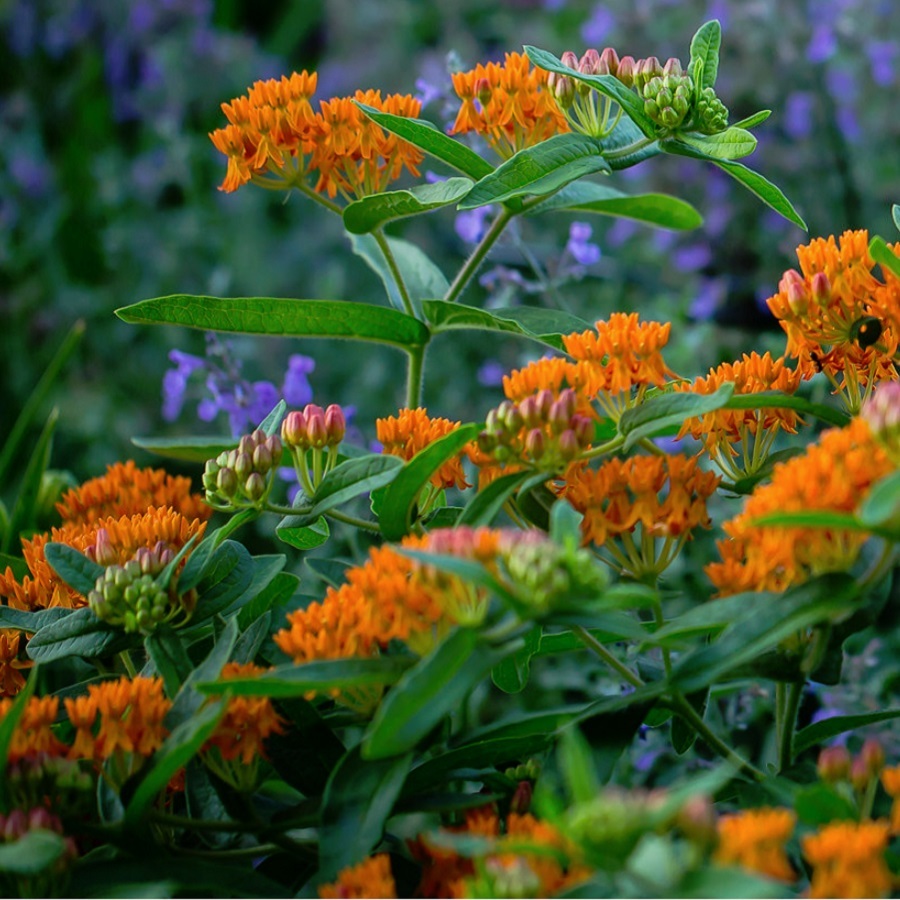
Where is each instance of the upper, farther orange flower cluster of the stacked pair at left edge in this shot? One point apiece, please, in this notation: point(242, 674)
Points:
point(126, 490)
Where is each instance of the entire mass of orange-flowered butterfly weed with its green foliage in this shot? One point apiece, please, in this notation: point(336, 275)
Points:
point(182, 714)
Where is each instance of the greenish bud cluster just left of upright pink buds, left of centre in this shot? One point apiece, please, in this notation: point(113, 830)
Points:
point(243, 477)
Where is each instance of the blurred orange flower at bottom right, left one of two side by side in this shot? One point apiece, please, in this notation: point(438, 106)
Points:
point(755, 839)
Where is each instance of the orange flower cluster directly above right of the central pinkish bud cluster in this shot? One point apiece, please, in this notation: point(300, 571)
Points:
point(620, 355)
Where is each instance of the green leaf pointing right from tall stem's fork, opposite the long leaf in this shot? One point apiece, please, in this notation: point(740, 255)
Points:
point(544, 325)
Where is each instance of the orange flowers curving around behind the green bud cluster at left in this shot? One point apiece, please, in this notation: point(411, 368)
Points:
point(120, 539)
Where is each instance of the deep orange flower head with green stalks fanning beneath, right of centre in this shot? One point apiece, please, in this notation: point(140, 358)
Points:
point(665, 495)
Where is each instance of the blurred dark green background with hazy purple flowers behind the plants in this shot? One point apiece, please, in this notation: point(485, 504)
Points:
point(108, 187)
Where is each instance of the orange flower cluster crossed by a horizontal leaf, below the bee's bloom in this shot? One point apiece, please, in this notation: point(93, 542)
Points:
point(754, 429)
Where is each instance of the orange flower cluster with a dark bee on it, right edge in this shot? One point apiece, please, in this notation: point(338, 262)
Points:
point(839, 318)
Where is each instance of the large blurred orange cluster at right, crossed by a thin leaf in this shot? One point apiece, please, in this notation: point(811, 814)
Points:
point(834, 475)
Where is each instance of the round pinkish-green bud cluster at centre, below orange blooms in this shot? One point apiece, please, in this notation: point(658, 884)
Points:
point(540, 431)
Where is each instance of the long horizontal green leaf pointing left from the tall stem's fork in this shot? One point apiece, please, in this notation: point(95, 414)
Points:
point(280, 317)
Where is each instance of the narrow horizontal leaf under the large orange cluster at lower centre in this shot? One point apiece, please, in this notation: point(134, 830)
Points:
point(291, 680)
